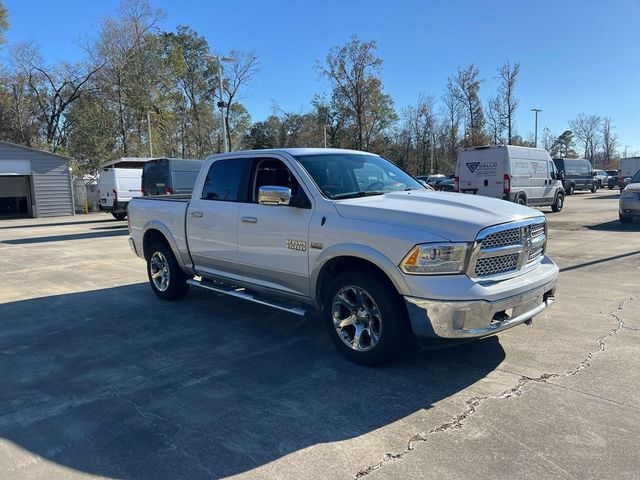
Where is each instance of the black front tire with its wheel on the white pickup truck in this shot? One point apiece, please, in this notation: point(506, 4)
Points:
point(392, 322)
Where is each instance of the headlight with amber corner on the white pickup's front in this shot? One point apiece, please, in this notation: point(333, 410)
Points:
point(435, 259)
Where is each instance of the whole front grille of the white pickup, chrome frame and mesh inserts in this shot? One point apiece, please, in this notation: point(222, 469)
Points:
point(508, 248)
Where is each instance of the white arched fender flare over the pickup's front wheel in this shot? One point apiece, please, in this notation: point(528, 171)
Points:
point(363, 252)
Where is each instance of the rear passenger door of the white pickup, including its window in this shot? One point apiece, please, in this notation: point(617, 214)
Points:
point(212, 218)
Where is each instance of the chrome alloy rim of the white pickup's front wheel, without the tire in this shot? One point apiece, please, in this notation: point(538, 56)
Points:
point(356, 318)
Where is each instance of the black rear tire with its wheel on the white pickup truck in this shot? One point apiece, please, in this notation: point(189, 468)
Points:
point(160, 254)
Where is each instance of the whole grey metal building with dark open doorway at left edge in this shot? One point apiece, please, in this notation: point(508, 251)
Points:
point(33, 183)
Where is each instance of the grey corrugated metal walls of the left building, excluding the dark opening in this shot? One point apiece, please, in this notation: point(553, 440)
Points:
point(51, 180)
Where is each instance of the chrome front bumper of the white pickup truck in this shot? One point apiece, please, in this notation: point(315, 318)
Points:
point(434, 319)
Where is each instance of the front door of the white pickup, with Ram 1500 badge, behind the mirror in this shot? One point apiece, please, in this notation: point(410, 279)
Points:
point(273, 239)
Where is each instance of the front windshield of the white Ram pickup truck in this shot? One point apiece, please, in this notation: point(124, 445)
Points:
point(350, 175)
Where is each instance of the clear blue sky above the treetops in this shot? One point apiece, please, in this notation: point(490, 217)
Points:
point(576, 56)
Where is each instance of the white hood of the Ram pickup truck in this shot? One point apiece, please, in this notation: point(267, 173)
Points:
point(452, 216)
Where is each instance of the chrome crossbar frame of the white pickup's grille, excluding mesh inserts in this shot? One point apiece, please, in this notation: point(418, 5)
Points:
point(523, 265)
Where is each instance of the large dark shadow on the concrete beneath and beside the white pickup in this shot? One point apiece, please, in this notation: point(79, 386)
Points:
point(117, 383)
